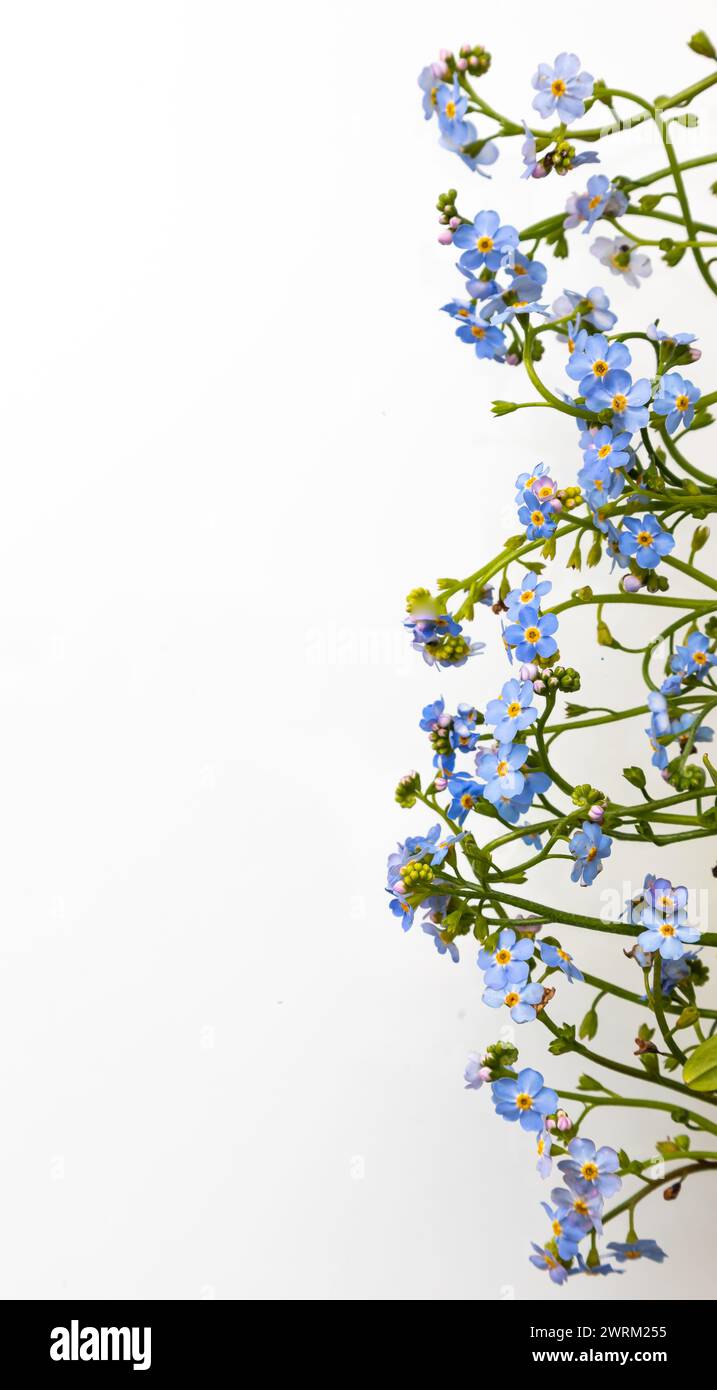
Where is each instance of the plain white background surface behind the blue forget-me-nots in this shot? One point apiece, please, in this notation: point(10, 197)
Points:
point(237, 432)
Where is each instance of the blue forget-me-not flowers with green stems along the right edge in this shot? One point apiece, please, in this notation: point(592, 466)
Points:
point(501, 801)
